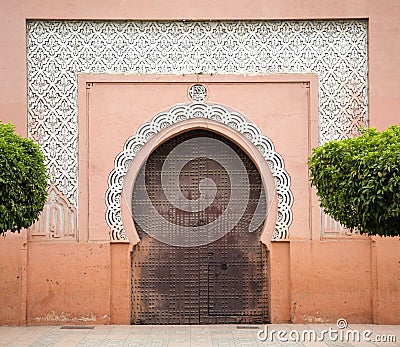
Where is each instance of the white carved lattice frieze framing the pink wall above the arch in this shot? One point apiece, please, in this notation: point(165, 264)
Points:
point(58, 50)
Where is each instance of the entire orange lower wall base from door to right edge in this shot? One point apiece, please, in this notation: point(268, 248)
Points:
point(322, 281)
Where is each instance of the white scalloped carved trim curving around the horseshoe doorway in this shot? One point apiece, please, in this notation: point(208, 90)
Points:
point(178, 114)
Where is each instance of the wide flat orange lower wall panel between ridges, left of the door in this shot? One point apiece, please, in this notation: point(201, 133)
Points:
point(68, 283)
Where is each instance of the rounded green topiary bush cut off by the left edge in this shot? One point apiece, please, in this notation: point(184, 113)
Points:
point(23, 181)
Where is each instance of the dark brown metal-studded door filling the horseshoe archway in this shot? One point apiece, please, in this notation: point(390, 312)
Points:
point(199, 260)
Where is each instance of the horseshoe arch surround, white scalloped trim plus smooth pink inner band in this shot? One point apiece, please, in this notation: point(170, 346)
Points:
point(181, 118)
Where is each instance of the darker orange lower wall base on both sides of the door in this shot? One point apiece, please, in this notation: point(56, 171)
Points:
point(44, 283)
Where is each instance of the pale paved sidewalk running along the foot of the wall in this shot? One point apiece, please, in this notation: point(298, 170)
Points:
point(200, 335)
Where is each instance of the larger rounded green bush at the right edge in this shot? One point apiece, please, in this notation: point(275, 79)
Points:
point(358, 181)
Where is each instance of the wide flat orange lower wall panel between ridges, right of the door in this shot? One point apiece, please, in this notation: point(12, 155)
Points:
point(331, 280)
